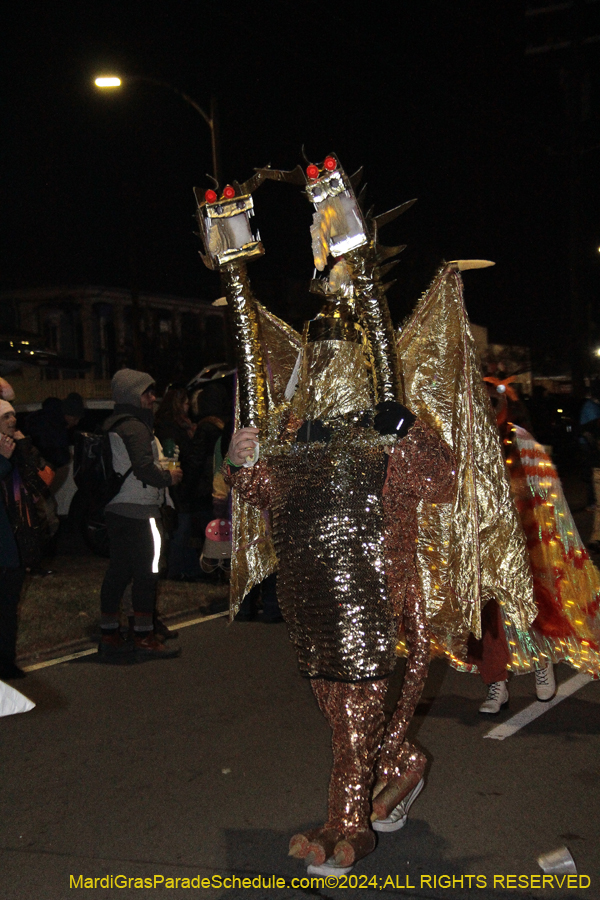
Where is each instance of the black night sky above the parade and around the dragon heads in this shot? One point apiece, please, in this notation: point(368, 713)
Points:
point(438, 101)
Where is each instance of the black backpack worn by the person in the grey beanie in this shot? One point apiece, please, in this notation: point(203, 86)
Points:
point(93, 470)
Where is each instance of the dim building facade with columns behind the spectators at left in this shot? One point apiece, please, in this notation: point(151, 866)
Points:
point(171, 337)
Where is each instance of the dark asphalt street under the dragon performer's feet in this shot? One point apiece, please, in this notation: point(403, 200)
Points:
point(203, 767)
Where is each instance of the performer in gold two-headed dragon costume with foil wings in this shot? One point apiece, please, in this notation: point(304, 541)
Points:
point(353, 498)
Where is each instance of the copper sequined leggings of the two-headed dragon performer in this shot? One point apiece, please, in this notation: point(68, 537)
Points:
point(355, 713)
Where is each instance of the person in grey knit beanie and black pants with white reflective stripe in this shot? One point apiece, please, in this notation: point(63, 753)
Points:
point(132, 518)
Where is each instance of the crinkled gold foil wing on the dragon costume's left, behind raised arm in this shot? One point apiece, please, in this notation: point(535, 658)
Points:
point(253, 556)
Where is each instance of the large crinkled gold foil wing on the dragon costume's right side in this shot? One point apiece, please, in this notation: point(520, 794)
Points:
point(474, 548)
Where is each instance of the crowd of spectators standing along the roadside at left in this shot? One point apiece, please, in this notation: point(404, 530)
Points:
point(168, 456)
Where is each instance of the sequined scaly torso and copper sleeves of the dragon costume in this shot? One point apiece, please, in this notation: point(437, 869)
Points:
point(344, 528)
